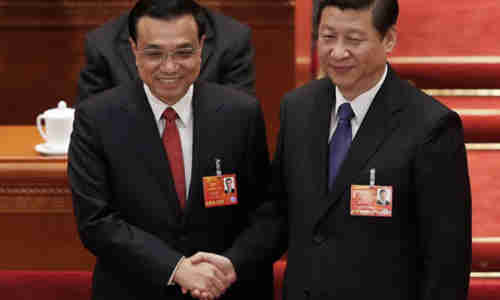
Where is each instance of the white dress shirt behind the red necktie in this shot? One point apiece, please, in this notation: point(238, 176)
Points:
point(184, 110)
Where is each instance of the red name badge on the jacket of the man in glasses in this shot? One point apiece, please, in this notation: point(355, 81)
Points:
point(220, 190)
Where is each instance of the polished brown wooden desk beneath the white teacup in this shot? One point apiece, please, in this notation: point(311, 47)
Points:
point(37, 224)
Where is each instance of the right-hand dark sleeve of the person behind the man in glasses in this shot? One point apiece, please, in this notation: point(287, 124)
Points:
point(238, 66)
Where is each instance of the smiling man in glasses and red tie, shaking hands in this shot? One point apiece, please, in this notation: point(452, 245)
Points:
point(139, 153)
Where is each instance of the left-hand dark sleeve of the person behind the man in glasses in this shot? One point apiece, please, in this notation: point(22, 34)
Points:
point(94, 76)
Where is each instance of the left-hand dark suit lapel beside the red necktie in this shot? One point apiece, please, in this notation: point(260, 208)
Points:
point(146, 140)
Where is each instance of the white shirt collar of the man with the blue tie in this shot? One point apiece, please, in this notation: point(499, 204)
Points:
point(361, 103)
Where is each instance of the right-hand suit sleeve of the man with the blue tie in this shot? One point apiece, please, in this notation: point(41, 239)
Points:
point(443, 207)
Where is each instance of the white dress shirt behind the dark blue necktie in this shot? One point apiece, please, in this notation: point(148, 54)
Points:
point(360, 106)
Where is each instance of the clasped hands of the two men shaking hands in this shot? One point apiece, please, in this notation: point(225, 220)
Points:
point(205, 275)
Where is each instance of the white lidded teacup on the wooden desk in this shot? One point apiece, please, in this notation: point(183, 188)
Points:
point(58, 126)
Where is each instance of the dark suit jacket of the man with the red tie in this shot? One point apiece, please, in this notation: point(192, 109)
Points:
point(125, 202)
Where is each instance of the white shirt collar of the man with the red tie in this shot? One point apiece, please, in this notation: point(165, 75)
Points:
point(183, 107)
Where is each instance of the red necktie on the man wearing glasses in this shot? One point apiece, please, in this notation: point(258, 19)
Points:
point(172, 144)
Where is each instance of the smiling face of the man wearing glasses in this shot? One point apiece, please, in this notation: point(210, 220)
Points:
point(168, 77)
